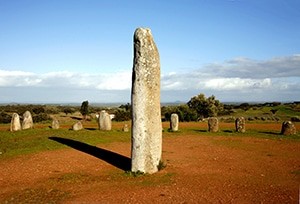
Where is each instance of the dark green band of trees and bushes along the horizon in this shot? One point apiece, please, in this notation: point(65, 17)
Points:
point(196, 109)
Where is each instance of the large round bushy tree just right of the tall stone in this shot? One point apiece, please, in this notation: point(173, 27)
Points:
point(205, 107)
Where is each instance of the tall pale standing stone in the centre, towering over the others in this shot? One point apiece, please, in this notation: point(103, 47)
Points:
point(146, 134)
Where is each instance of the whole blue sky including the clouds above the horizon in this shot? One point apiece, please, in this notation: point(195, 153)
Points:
point(70, 51)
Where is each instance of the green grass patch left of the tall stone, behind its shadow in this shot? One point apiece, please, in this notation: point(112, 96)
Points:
point(36, 140)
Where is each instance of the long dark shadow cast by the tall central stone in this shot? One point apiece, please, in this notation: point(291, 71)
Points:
point(115, 159)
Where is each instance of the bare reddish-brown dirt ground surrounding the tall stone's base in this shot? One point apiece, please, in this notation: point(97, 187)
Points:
point(200, 169)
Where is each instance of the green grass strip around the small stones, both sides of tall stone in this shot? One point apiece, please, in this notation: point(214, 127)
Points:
point(35, 140)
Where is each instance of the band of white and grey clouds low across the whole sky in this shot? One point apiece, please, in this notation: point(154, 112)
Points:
point(242, 78)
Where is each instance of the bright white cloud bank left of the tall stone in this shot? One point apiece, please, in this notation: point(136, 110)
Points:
point(106, 81)
